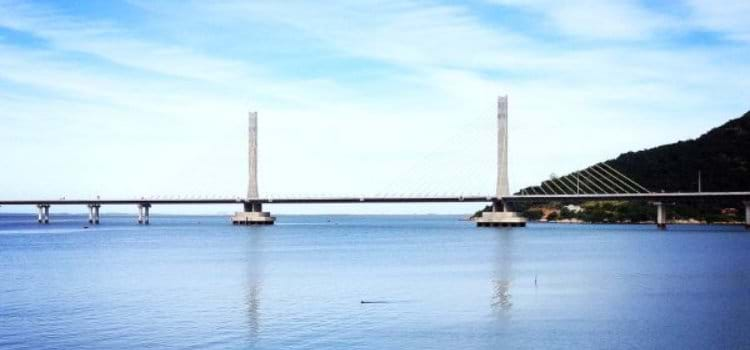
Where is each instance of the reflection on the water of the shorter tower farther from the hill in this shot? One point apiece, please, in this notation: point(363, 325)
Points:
point(254, 281)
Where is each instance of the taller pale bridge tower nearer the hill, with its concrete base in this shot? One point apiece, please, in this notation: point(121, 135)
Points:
point(498, 215)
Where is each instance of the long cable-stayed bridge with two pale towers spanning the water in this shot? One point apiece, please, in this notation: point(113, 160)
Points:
point(597, 183)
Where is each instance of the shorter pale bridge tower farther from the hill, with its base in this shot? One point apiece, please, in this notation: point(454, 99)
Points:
point(253, 213)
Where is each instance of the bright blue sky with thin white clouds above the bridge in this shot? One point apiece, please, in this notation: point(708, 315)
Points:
point(150, 98)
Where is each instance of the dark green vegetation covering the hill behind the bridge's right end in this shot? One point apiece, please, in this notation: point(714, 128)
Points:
point(721, 156)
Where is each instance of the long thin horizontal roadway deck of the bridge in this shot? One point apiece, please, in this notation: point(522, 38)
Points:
point(655, 196)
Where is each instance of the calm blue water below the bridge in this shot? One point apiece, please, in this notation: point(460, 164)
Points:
point(441, 283)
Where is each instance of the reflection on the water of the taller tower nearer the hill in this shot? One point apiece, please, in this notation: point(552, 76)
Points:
point(502, 299)
